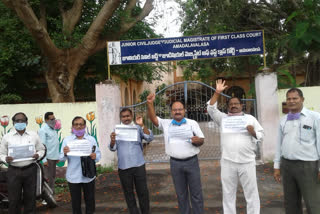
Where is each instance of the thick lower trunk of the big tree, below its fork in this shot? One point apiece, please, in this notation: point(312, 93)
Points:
point(60, 77)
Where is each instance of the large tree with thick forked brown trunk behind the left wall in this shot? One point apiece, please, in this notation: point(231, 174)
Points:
point(67, 37)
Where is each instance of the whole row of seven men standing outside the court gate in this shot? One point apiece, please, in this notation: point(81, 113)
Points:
point(297, 155)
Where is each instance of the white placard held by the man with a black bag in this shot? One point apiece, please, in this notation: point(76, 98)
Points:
point(79, 148)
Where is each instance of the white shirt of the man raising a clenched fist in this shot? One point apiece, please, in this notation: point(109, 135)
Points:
point(178, 138)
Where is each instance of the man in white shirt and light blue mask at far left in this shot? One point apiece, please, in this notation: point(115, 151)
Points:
point(22, 172)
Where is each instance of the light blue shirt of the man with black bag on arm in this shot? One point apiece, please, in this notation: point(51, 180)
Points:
point(74, 171)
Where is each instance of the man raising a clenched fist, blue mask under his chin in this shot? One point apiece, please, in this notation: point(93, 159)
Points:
point(182, 137)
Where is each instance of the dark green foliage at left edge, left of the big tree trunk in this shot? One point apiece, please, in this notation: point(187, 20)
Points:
point(19, 58)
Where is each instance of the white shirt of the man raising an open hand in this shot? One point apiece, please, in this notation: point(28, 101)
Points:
point(237, 147)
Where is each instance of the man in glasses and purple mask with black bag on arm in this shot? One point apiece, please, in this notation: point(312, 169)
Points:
point(76, 181)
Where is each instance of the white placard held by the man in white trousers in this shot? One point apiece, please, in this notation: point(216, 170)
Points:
point(234, 124)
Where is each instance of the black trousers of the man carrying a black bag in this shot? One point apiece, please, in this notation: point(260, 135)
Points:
point(88, 193)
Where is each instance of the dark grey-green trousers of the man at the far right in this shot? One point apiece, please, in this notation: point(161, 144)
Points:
point(300, 179)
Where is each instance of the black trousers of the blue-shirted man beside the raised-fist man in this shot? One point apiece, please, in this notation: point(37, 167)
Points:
point(135, 176)
